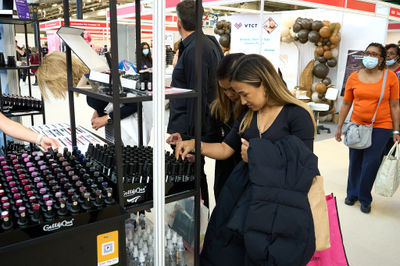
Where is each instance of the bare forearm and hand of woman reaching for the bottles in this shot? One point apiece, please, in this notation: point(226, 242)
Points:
point(218, 151)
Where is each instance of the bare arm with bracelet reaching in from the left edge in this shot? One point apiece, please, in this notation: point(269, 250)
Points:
point(18, 131)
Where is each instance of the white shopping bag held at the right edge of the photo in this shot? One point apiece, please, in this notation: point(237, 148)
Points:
point(387, 179)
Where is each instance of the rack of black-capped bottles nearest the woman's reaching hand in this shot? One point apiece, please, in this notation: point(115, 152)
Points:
point(138, 171)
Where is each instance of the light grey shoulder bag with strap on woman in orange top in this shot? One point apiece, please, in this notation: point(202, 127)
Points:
point(359, 136)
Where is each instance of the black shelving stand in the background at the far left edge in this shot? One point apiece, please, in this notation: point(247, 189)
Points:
point(28, 67)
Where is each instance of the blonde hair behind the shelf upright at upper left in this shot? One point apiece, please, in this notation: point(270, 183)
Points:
point(52, 74)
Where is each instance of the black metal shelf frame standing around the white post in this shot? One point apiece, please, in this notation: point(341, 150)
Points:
point(116, 100)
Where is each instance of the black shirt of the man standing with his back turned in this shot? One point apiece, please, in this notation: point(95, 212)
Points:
point(182, 111)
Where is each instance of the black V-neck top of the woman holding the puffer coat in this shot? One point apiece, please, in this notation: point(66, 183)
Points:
point(292, 120)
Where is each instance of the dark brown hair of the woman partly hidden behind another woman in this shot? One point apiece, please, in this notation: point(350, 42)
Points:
point(221, 106)
